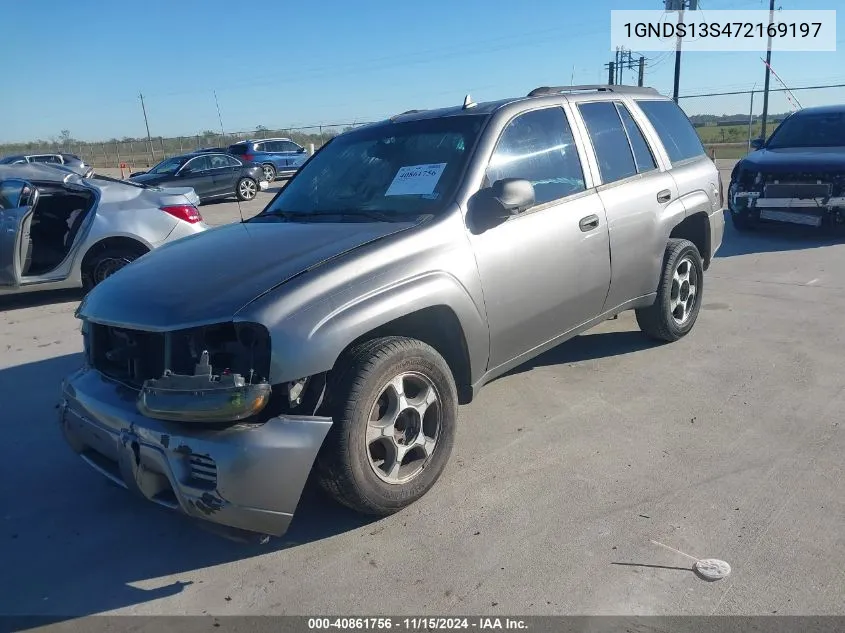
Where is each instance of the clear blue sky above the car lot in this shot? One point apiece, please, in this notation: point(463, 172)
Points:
point(80, 64)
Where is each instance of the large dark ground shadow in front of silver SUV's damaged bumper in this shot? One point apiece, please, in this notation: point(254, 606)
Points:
point(74, 544)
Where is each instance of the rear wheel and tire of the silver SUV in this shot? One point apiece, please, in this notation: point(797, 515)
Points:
point(679, 294)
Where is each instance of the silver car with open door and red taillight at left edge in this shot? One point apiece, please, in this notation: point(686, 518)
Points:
point(59, 230)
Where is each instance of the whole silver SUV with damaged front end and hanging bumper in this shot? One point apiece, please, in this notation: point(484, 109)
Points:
point(404, 266)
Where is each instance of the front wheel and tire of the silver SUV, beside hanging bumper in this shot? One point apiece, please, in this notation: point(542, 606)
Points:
point(394, 406)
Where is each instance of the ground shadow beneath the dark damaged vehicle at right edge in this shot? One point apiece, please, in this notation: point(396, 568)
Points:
point(770, 238)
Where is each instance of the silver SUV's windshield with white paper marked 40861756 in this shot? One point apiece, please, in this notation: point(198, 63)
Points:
point(398, 170)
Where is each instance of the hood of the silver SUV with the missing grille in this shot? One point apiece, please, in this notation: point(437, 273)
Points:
point(209, 277)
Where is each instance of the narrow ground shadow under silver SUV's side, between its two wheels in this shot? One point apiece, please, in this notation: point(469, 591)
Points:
point(589, 346)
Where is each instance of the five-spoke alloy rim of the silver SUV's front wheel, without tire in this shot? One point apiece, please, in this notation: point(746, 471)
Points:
point(403, 428)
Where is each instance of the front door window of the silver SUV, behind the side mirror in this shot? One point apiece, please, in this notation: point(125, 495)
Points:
point(538, 146)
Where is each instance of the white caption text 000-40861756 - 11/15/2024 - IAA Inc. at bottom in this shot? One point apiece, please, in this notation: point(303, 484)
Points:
point(416, 623)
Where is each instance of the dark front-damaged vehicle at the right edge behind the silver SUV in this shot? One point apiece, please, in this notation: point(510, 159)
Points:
point(797, 176)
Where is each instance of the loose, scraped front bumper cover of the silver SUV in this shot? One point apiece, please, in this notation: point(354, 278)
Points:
point(246, 477)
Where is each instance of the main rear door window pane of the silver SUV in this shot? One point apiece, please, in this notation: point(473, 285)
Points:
point(610, 142)
